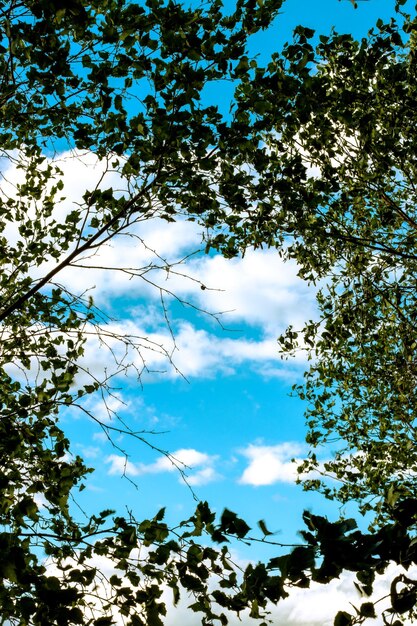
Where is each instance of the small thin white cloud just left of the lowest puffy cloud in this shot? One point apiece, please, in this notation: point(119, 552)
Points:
point(185, 459)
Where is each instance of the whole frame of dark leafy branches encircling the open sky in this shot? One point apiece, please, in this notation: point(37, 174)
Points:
point(316, 158)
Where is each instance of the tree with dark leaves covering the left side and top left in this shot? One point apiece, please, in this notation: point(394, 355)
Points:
point(122, 81)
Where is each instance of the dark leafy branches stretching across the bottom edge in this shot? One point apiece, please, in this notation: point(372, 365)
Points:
point(147, 559)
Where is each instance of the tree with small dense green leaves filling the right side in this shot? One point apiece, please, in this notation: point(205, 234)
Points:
point(338, 184)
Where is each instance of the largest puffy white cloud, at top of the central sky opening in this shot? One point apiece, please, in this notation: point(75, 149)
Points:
point(260, 289)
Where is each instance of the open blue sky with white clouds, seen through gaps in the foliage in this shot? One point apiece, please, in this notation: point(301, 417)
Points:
point(228, 414)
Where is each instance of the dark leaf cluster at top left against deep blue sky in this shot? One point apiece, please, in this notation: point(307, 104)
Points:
point(126, 81)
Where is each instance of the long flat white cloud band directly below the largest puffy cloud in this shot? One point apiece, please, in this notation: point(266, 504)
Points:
point(182, 350)
